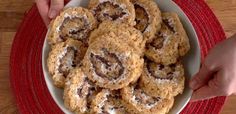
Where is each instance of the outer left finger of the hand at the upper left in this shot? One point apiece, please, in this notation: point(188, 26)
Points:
point(43, 7)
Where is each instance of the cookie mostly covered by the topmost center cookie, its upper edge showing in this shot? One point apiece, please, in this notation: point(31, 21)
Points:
point(126, 33)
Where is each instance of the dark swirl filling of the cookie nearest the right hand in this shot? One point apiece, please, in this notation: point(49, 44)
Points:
point(159, 71)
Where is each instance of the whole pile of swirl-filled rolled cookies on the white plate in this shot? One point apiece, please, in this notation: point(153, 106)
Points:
point(118, 56)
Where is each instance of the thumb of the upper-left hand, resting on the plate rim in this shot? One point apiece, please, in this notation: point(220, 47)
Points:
point(55, 7)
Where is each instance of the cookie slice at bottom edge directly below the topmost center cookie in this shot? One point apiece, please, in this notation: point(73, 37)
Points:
point(108, 102)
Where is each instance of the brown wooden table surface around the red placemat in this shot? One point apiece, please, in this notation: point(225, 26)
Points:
point(12, 12)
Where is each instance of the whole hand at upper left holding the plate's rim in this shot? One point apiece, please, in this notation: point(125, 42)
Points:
point(49, 12)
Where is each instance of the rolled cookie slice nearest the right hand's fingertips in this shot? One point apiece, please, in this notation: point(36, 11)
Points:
point(163, 81)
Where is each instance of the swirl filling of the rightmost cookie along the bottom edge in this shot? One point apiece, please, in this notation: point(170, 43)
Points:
point(141, 97)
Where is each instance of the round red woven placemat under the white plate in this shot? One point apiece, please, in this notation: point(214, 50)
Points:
point(27, 81)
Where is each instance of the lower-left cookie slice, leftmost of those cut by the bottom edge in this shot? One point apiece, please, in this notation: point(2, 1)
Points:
point(79, 92)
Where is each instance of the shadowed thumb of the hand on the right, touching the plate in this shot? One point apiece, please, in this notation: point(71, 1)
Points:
point(201, 78)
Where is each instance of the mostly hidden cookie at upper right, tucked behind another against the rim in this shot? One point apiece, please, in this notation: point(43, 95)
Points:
point(175, 26)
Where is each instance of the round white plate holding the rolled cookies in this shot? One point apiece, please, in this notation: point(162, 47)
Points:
point(191, 61)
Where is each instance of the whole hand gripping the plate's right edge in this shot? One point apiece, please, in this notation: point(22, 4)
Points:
point(217, 76)
